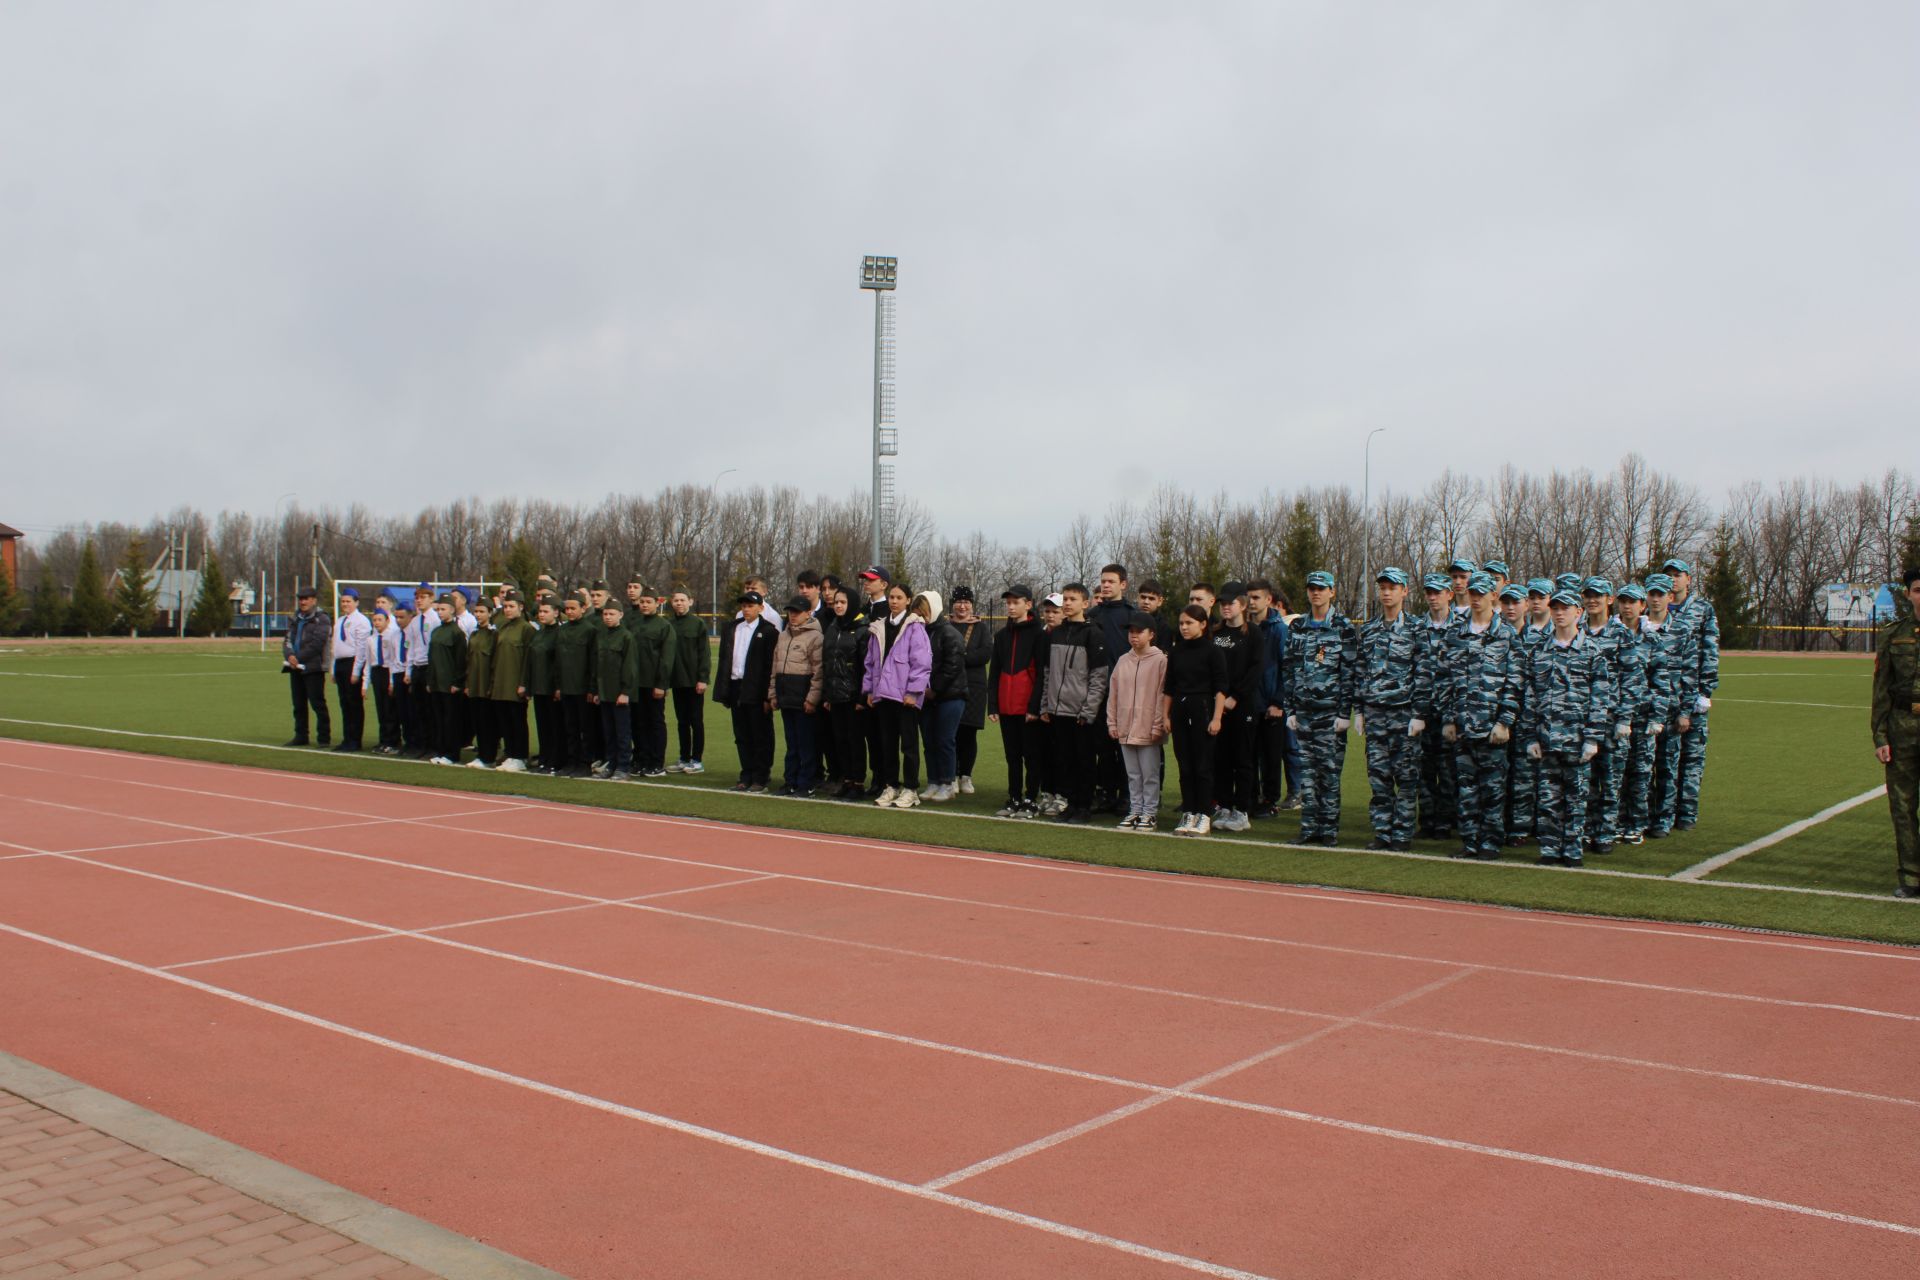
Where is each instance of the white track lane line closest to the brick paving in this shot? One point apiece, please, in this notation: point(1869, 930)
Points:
point(671, 1124)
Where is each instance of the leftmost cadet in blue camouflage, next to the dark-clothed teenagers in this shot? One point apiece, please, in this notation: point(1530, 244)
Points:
point(1320, 675)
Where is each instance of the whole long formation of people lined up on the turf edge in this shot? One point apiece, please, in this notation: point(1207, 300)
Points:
point(1558, 711)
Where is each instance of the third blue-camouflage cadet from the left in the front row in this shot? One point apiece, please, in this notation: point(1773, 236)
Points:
point(1479, 699)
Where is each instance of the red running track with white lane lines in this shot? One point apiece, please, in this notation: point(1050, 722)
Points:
point(623, 1045)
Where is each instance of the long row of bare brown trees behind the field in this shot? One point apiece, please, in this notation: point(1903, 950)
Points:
point(1785, 542)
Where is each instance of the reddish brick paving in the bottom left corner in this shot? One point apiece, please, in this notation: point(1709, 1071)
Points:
point(76, 1202)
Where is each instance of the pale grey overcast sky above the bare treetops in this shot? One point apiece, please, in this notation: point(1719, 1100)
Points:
point(395, 252)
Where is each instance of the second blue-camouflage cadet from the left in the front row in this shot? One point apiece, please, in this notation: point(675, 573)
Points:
point(1393, 711)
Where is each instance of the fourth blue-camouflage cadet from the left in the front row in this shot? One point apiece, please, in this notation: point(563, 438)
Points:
point(1566, 717)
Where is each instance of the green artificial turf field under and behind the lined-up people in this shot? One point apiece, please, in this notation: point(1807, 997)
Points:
point(1788, 742)
